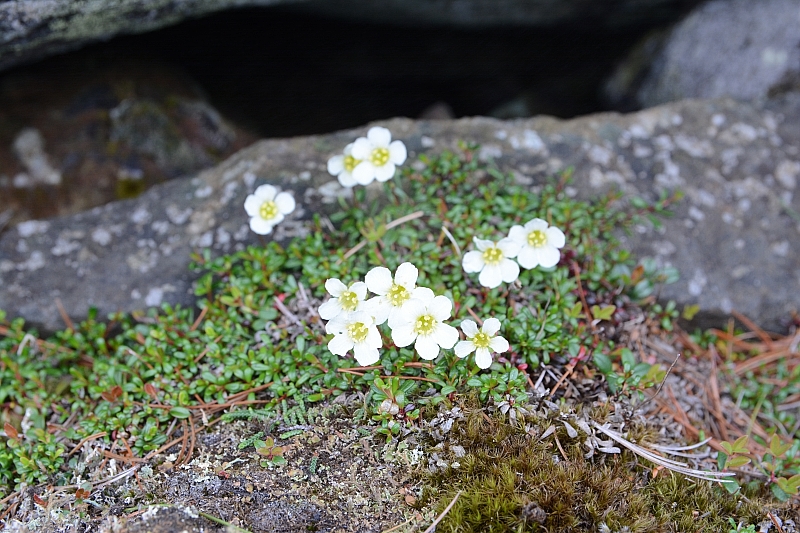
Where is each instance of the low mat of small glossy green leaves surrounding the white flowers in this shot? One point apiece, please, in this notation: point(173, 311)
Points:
point(255, 335)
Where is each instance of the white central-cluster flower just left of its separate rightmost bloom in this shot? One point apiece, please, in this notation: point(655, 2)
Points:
point(423, 322)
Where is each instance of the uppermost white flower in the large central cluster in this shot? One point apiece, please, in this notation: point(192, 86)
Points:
point(392, 295)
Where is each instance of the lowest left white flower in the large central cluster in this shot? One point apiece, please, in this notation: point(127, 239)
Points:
point(357, 332)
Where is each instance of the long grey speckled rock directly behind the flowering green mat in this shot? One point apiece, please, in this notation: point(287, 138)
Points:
point(733, 237)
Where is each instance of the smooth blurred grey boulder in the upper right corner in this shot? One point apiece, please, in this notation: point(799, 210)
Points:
point(736, 48)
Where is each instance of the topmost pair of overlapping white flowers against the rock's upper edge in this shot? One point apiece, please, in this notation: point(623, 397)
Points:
point(374, 157)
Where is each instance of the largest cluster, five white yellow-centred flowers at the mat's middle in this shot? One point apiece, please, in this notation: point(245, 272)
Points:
point(415, 315)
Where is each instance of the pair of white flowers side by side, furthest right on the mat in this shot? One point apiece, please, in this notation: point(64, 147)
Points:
point(534, 244)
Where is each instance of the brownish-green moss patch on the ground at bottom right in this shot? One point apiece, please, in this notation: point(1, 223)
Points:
point(513, 482)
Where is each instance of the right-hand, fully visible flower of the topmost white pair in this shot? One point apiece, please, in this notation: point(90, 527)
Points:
point(379, 156)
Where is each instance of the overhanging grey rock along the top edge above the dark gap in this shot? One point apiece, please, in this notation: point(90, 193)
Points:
point(31, 29)
